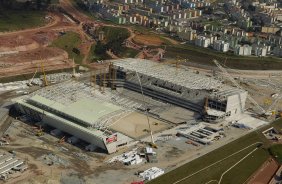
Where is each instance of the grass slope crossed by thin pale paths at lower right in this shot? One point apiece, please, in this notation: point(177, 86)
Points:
point(237, 175)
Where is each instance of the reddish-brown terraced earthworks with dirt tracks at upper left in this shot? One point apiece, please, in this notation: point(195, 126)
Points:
point(19, 50)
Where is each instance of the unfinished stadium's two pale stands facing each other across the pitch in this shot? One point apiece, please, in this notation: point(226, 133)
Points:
point(75, 108)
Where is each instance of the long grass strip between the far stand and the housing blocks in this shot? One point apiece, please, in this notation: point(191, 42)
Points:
point(205, 56)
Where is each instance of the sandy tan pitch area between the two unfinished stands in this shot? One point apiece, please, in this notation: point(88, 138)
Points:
point(135, 125)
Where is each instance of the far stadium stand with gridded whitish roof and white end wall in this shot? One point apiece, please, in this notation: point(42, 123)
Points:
point(182, 87)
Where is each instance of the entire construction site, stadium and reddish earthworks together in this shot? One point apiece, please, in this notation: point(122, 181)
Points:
point(80, 120)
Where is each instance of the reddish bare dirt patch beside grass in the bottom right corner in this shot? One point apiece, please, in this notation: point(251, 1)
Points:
point(265, 172)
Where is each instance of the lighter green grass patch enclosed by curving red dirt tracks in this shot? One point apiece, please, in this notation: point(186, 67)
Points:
point(67, 42)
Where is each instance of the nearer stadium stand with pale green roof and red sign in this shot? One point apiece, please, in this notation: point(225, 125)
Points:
point(83, 118)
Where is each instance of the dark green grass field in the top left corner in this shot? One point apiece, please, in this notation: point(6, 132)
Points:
point(11, 20)
